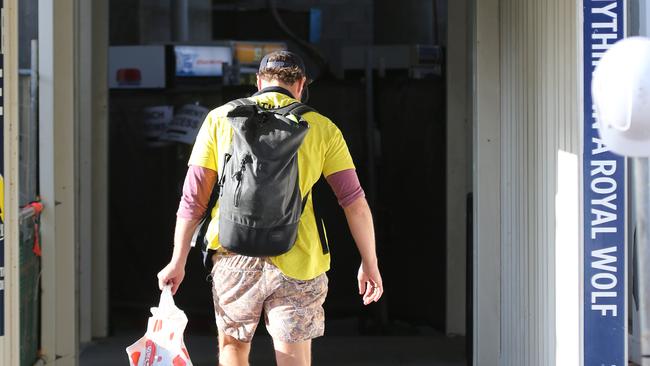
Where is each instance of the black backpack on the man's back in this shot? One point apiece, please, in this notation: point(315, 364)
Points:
point(258, 190)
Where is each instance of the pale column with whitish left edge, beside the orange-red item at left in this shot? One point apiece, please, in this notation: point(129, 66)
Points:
point(58, 116)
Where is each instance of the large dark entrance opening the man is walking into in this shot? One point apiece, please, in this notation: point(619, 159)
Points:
point(379, 76)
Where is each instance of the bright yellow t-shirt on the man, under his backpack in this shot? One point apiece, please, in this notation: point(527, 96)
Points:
point(323, 151)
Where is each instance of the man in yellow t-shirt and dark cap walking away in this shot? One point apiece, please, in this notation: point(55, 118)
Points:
point(289, 288)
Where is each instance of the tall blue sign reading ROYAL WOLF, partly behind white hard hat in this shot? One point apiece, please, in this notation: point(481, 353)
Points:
point(604, 303)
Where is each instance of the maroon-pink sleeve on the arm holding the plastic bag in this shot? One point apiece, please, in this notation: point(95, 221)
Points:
point(197, 188)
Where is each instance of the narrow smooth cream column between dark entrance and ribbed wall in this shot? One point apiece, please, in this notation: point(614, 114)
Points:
point(487, 183)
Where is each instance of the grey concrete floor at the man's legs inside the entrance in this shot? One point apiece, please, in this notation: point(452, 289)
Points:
point(431, 350)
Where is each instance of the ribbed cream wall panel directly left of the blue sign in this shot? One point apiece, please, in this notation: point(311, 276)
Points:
point(539, 117)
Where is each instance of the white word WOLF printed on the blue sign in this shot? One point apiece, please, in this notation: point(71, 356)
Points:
point(604, 281)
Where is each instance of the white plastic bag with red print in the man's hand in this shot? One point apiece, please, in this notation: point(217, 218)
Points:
point(162, 344)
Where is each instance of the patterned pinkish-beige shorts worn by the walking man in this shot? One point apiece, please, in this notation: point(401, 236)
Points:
point(244, 286)
